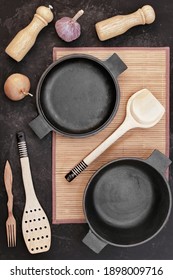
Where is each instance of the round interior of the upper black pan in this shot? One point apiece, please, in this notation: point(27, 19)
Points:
point(78, 96)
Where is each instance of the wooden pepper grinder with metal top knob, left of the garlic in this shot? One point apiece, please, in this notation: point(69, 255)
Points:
point(25, 39)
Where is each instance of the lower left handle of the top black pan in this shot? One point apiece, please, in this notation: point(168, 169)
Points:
point(40, 127)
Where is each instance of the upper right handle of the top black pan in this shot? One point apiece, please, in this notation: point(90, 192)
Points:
point(115, 65)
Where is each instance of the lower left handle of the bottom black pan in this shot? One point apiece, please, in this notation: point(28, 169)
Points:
point(93, 242)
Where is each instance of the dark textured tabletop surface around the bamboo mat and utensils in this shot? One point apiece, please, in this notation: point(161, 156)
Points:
point(15, 116)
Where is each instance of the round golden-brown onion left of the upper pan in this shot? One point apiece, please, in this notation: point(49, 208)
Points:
point(17, 86)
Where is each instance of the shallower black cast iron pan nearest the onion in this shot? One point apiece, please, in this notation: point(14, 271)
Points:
point(78, 95)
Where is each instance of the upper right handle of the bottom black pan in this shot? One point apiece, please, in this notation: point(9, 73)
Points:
point(159, 161)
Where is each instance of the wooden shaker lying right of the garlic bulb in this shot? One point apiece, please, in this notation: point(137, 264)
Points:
point(118, 25)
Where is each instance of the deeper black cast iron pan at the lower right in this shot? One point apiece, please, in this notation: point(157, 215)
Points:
point(127, 202)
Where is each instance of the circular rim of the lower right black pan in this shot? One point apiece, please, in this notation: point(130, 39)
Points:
point(153, 235)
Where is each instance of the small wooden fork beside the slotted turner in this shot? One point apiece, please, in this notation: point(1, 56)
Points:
point(11, 222)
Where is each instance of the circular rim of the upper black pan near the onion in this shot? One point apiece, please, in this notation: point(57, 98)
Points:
point(43, 77)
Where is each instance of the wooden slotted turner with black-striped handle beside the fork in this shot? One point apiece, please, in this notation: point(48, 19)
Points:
point(35, 224)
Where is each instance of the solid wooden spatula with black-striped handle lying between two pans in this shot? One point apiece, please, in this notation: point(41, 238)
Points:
point(143, 111)
